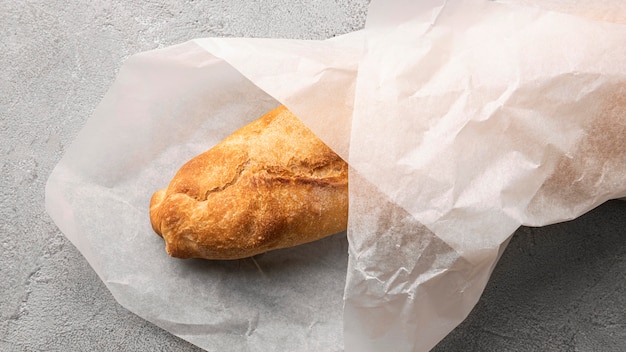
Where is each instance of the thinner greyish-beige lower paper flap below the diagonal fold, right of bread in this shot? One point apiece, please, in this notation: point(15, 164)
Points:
point(414, 296)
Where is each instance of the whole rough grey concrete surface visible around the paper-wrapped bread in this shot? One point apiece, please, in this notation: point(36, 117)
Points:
point(557, 288)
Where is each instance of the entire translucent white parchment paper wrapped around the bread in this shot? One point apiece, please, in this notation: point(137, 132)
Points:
point(461, 120)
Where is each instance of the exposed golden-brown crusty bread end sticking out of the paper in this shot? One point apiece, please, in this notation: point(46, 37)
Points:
point(271, 184)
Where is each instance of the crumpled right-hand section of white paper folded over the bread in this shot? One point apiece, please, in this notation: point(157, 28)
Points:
point(471, 118)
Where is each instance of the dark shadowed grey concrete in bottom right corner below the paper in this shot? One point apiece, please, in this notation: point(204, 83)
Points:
point(557, 288)
